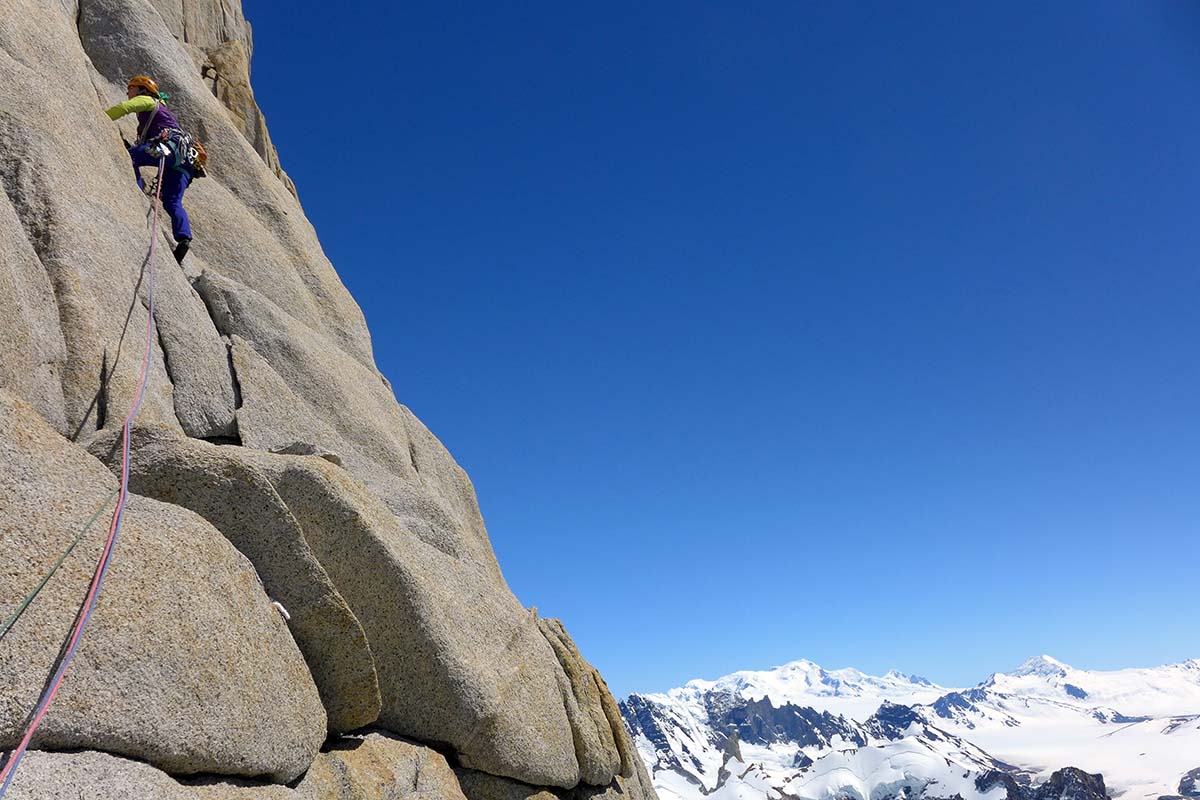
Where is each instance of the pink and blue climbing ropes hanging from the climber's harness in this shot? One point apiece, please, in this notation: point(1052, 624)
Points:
point(115, 527)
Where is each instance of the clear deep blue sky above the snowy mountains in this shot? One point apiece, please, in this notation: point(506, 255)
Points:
point(859, 333)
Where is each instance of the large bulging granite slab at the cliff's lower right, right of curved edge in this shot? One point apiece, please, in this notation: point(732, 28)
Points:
point(460, 661)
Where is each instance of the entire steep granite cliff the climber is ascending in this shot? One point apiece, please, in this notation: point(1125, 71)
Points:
point(272, 462)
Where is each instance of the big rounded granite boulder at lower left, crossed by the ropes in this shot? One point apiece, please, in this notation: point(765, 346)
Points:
point(187, 665)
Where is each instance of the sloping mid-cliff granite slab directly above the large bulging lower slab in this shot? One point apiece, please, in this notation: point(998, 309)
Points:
point(297, 388)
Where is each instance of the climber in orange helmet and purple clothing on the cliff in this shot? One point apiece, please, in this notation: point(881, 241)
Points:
point(160, 136)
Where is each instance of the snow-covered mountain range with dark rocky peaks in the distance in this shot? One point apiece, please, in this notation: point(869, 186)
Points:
point(1042, 732)
